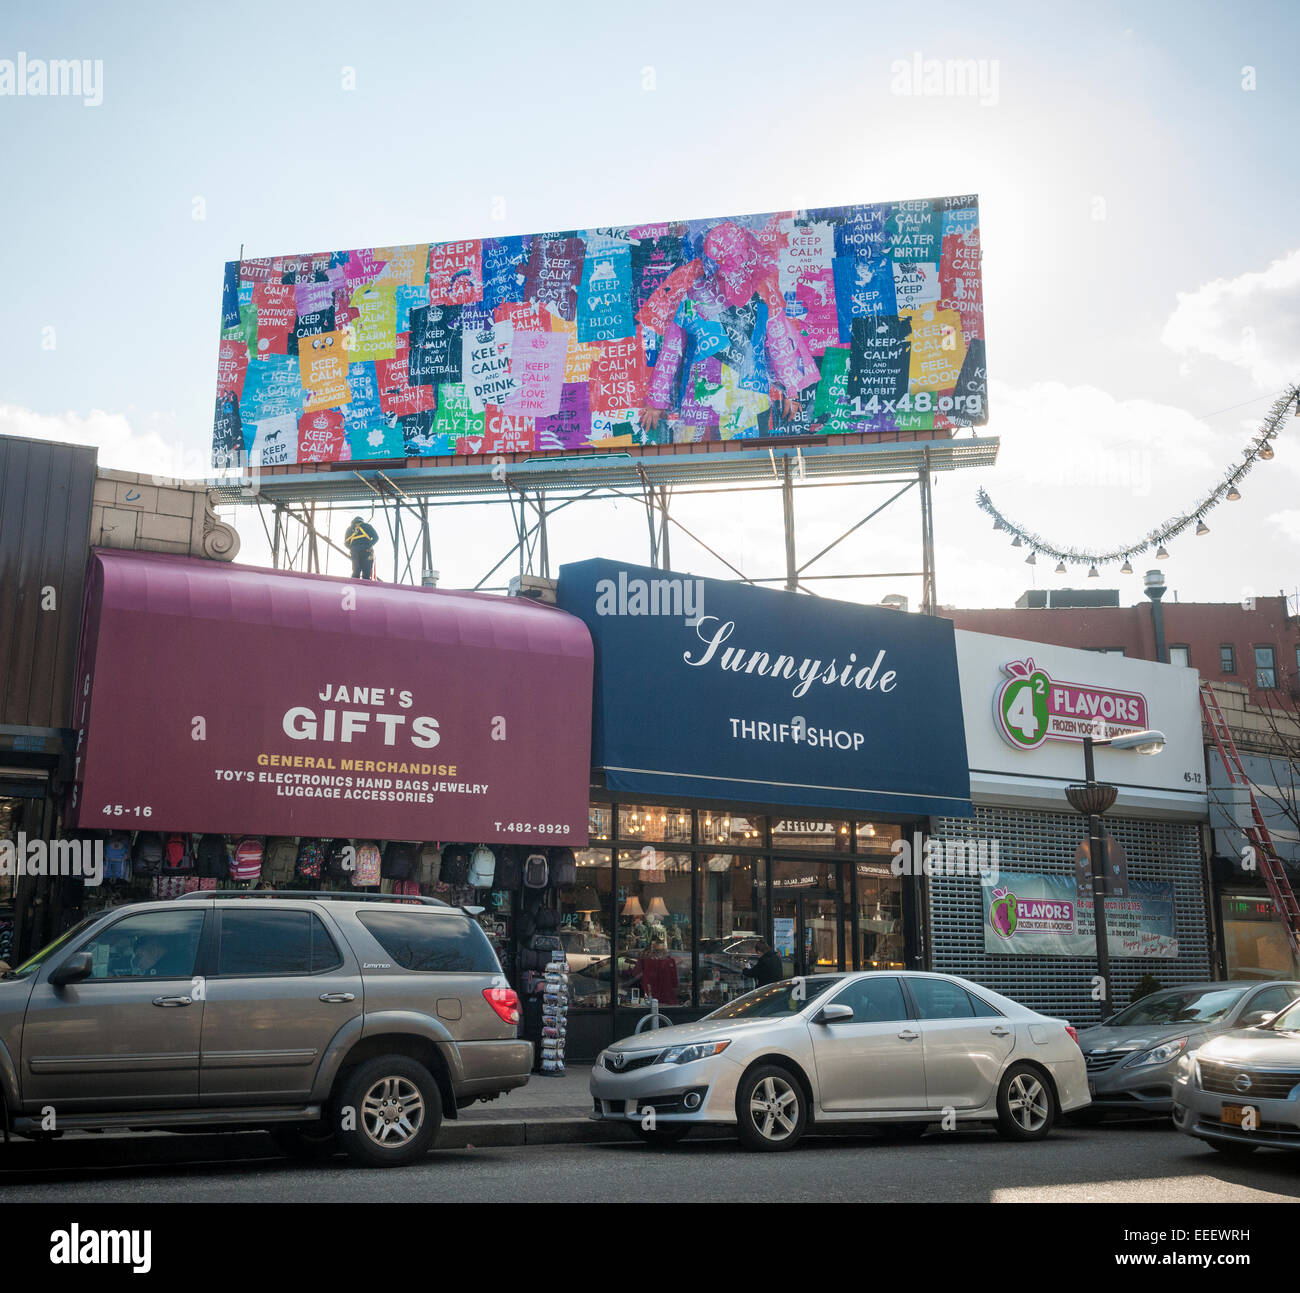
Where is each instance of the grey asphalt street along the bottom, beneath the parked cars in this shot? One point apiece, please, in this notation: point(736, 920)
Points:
point(1136, 1164)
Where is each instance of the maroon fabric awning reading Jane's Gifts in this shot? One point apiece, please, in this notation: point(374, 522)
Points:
point(239, 701)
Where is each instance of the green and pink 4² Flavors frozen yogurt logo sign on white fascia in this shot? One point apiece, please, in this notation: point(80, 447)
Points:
point(1032, 708)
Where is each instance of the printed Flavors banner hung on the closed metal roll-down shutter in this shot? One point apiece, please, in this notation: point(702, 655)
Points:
point(1043, 915)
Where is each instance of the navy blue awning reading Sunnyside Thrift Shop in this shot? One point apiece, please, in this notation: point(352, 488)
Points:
point(749, 696)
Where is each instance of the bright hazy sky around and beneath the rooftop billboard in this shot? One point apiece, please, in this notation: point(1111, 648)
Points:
point(1138, 205)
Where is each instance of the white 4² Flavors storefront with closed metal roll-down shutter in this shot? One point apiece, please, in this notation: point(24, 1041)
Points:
point(1026, 709)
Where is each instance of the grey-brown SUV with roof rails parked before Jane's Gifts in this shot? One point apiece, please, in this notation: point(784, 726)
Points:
point(332, 1021)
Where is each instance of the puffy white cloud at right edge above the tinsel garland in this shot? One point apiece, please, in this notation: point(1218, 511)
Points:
point(1253, 322)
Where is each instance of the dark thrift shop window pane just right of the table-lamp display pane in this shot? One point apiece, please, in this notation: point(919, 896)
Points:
point(731, 925)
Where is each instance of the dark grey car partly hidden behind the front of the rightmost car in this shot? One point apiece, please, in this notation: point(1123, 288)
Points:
point(1133, 1057)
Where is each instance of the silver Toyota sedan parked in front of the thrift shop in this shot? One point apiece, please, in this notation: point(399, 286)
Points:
point(900, 1048)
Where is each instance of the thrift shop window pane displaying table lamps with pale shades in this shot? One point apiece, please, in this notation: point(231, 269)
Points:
point(655, 927)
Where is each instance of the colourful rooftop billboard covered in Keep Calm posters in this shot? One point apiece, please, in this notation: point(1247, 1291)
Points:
point(824, 322)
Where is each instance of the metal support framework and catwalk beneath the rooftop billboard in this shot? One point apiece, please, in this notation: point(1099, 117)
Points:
point(297, 507)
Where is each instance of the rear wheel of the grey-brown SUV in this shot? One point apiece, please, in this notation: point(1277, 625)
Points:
point(397, 1112)
